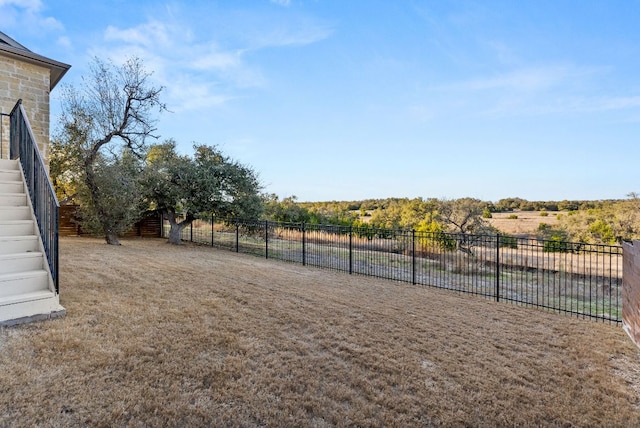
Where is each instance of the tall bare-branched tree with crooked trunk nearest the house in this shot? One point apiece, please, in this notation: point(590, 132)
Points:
point(110, 114)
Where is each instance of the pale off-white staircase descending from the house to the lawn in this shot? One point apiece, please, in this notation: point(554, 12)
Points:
point(27, 291)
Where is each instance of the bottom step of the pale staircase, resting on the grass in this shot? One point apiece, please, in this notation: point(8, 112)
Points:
point(28, 307)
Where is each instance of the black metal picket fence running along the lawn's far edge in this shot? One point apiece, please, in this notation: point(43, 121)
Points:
point(574, 278)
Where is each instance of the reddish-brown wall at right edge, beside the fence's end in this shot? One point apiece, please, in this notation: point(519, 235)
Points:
point(631, 290)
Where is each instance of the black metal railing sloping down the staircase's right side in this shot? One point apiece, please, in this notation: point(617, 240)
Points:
point(43, 198)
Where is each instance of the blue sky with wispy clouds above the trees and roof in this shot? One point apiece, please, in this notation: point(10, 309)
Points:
point(356, 99)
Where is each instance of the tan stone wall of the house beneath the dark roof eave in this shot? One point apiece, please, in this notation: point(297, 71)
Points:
point(31, 83)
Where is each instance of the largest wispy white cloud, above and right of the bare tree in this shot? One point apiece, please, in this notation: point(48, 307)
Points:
point(206, 65)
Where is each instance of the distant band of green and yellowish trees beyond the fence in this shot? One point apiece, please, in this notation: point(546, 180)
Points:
point(597, 222)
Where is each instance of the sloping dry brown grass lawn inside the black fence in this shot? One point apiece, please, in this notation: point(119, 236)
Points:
point(158, 335)
